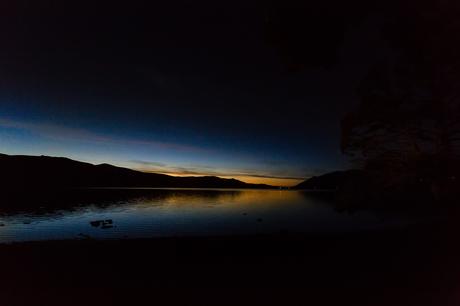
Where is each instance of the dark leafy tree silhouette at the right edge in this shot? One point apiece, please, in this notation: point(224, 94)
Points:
point(407, 124)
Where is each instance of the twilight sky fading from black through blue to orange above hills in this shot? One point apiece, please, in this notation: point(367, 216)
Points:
point(250, 90)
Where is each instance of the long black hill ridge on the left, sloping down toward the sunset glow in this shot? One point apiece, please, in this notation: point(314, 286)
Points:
point(20, 172)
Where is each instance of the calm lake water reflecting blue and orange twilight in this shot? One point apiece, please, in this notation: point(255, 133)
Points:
point(136, 213)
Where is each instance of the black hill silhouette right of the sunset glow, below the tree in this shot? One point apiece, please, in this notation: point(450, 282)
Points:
point(356, 189)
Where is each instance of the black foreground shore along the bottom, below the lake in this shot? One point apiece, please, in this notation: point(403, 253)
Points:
point(418, 266)
